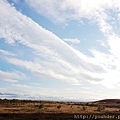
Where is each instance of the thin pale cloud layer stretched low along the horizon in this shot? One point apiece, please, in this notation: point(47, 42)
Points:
point(51, 93)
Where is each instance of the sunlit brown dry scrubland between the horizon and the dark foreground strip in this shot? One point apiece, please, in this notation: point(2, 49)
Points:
point(15, 106)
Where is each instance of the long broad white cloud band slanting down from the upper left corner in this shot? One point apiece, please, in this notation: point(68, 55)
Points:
point(61, 61)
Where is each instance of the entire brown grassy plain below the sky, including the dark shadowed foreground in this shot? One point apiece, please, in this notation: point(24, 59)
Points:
point(50, 110)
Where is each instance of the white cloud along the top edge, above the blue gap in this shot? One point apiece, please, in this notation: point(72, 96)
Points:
point(60, 11)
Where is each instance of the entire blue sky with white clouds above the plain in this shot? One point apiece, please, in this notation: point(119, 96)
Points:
point(60, 49)
